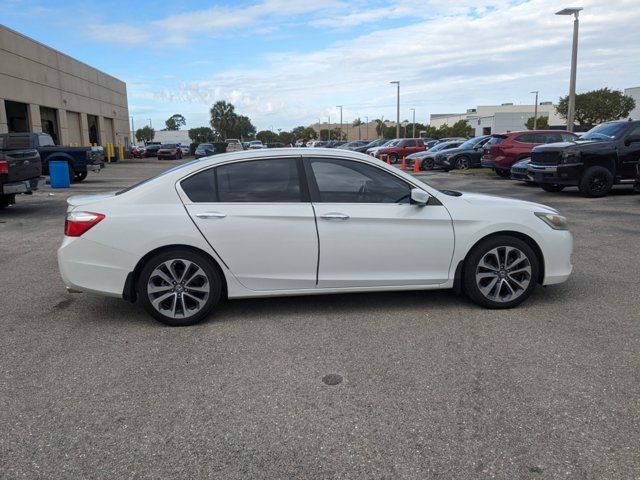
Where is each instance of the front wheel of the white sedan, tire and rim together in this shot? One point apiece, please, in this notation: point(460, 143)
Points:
point(500, 272)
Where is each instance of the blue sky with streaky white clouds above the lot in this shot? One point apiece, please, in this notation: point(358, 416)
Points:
point(285, 63)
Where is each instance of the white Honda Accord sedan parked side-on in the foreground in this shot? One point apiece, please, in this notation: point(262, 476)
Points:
point(303, 221)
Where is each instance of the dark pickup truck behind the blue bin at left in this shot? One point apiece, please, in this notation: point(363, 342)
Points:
point(81, 160)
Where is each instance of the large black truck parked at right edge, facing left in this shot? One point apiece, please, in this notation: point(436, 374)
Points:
point(606, 155)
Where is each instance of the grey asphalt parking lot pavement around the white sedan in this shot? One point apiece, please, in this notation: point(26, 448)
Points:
point(432, 385)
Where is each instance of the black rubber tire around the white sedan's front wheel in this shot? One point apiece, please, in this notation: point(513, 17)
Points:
point(472, 269)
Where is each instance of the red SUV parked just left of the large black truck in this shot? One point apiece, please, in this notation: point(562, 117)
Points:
point(503, 150)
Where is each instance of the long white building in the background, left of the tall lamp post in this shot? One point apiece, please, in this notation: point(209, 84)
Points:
point(487, 119)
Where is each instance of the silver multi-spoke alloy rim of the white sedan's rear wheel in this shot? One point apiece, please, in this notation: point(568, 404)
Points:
point(178, 288)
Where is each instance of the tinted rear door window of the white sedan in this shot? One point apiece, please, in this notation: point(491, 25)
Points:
point(273, 180)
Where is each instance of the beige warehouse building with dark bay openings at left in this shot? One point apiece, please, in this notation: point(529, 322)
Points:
point(43, 90)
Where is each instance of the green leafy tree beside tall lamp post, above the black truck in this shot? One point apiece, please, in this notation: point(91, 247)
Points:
point(598, 106)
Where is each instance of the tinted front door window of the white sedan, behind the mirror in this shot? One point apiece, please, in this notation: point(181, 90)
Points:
point(345, 181)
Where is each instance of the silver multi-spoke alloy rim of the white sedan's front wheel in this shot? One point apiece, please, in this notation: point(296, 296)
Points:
point(503, 274)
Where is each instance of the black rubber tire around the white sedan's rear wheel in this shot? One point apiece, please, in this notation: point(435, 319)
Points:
point(210, 278)
